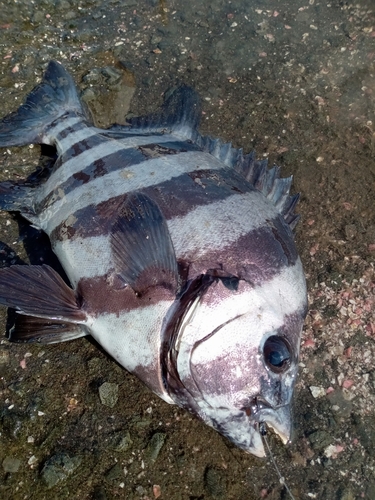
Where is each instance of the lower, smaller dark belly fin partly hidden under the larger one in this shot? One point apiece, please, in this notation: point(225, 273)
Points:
point(44, 331)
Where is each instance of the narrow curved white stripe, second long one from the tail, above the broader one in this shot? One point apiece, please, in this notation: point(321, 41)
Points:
point(88, 157)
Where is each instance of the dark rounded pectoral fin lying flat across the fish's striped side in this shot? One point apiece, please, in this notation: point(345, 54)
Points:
point(142, 247)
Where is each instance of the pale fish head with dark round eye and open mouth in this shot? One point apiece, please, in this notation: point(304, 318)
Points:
point(235, 357)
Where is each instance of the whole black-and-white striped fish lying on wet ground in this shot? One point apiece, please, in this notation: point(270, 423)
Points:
point(178, 251)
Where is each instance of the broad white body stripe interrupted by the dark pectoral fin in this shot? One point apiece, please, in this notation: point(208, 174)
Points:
point(194, 234)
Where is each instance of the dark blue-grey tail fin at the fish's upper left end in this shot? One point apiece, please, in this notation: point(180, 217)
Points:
point(53, 97)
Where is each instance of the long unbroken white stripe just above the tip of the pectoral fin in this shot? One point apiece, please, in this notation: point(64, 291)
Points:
point(149, 173)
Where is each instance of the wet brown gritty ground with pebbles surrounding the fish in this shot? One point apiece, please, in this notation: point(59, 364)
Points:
point(295, 81)
